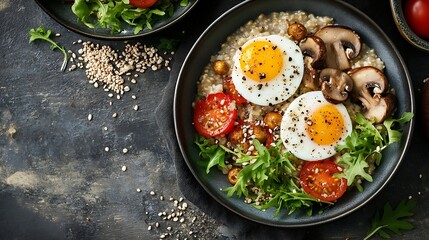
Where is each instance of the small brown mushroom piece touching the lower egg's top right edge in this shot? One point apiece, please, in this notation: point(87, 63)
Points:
point(336, 85)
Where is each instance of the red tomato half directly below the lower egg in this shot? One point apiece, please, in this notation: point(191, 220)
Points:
point(317, 180)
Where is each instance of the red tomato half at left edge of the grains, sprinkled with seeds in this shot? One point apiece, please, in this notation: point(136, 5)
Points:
point(215, 115)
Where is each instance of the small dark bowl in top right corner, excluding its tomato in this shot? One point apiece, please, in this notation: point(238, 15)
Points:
point(397, 7)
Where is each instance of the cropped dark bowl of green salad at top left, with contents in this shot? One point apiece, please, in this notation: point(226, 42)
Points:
point(116, 19)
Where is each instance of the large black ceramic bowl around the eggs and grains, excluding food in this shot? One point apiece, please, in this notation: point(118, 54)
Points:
point(209, 43)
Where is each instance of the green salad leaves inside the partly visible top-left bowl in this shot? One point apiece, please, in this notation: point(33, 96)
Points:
point(113, 13)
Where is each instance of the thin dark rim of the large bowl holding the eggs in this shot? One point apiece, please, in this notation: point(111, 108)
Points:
point(408, 133)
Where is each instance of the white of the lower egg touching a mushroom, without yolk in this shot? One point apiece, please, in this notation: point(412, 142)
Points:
point(293, 128)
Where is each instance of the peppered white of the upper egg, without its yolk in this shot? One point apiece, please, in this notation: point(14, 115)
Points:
point(282, 86)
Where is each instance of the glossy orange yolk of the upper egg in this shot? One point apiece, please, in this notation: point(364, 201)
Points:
point(261, 61)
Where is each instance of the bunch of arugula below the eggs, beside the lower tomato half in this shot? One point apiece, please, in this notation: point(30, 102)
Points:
point(270, 171)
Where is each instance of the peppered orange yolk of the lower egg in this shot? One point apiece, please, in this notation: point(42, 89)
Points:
point(326, 125)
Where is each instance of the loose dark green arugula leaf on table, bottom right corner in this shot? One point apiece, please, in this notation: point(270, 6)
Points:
point(392, 219)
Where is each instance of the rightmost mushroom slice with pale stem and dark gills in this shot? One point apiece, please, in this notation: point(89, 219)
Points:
point(370, 87)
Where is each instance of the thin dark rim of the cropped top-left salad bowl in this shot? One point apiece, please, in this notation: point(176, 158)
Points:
point(118, 37)
